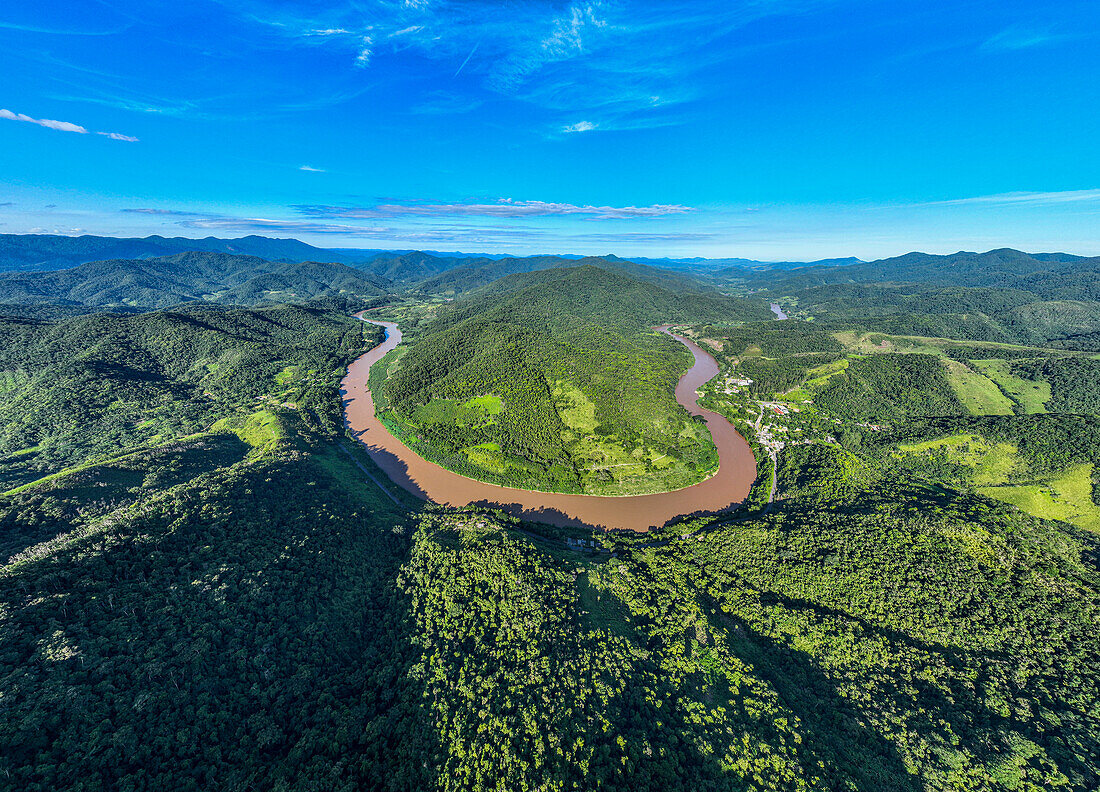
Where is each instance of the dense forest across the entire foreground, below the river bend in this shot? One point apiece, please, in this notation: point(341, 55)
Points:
point(293, 629)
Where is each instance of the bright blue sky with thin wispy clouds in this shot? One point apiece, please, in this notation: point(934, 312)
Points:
point(779, 130)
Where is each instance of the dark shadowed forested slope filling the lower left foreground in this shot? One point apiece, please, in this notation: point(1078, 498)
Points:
point(246, 634)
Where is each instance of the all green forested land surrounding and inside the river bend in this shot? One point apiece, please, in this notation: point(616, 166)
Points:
point(201, 588)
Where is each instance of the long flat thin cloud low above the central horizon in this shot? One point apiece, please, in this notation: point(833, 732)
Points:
point(502, 208)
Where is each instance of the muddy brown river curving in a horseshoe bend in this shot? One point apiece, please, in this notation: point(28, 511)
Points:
point(430, 481)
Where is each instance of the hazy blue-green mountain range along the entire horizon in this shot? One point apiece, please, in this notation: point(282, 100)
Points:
point(1002, 295)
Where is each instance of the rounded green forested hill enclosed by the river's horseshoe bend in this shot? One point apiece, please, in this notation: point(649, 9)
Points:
point(555, 381)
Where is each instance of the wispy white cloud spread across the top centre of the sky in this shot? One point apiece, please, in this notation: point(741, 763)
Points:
point(619, 65)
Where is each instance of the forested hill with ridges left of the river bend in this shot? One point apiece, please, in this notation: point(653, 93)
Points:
point(101, 383)
